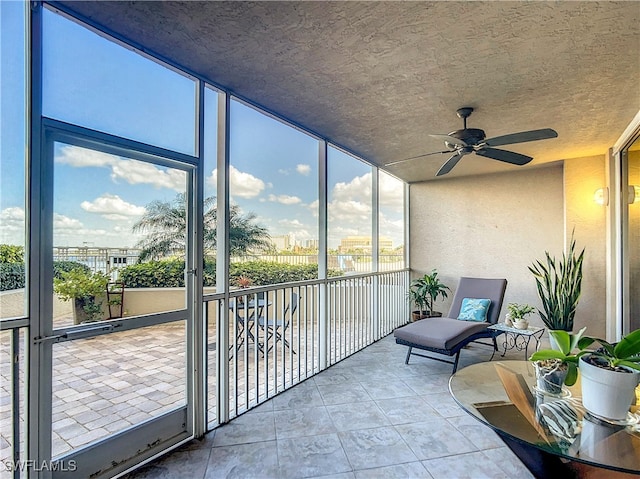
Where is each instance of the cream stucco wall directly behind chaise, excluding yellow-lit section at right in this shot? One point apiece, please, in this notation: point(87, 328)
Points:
point(489, 226)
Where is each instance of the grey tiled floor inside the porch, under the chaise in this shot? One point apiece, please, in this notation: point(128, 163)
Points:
point(368, 416)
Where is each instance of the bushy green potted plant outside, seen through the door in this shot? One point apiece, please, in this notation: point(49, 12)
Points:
point(85, 289)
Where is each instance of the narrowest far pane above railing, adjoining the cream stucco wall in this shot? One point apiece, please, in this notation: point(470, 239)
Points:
point(391, 222)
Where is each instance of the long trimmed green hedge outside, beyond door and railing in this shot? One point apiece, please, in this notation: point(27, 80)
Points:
point(170, 273)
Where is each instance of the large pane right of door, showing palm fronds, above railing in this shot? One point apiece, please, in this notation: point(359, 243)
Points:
point(274, 197)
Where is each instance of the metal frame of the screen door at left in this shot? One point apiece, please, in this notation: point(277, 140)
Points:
point(155, 435)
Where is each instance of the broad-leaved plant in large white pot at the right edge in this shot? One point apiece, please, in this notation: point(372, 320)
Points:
point(610, 375)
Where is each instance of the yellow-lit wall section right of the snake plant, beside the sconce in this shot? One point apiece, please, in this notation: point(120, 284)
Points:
point(582, 177)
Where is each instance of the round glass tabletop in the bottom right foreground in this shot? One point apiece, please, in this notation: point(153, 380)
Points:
point(550, 434)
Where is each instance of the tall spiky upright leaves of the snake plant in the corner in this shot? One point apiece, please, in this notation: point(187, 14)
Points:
point(559, 283)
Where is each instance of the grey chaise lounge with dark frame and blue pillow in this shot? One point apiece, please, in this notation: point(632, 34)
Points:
point(448, 335)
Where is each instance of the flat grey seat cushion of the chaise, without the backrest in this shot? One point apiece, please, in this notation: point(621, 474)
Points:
point(439, 333)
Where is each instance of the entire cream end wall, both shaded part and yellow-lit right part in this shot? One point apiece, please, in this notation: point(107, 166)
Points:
point(497, 225)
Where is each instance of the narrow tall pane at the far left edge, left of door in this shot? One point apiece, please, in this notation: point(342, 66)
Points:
point(12, 158)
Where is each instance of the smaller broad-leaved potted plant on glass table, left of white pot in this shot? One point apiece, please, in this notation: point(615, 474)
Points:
point(555, 367)
